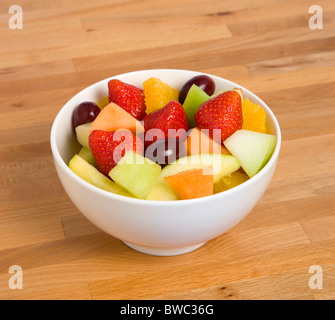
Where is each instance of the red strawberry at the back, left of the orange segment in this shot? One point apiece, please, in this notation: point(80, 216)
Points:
point(128, 97)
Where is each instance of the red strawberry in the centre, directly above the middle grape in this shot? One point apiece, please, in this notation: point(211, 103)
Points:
point(172, 116)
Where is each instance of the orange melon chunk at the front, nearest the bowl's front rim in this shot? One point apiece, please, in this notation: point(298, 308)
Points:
point(191, 184)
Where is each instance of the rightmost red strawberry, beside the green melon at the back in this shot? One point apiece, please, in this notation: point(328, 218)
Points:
point(223, 112)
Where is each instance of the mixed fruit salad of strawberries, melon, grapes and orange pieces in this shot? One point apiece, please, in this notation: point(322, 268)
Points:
point(157, 142)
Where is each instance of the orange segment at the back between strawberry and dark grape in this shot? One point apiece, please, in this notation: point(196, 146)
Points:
point(158, 94)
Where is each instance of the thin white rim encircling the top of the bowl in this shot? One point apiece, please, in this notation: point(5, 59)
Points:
point(61, 163)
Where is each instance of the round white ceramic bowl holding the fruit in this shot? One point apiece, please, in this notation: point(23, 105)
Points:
point(157, 227)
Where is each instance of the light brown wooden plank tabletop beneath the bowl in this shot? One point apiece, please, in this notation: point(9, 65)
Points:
point(267, 47)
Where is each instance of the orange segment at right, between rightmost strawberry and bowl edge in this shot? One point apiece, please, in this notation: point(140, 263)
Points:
point(254, 117)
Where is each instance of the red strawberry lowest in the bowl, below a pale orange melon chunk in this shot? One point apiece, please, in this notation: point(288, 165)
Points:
point(108, 147)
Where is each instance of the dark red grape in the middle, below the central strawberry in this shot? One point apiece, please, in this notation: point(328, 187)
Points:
point(165, 151)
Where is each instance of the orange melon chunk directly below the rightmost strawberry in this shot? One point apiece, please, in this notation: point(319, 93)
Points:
point(198, 143)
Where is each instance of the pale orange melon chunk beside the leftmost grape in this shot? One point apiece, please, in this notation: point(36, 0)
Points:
point(112, 118)
